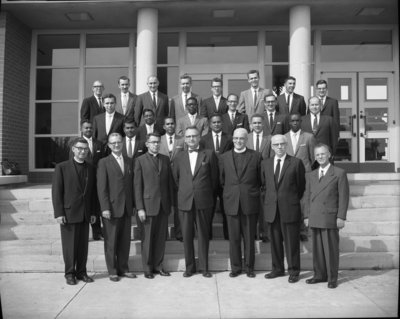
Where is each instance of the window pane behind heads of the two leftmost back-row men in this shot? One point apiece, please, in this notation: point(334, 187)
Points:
point(108, 76)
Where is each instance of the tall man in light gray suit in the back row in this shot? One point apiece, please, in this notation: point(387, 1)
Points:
point(251, 100)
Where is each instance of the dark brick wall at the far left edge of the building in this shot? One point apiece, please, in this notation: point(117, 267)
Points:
point(15, 53)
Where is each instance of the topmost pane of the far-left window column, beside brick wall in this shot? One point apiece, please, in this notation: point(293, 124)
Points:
point(58, 50)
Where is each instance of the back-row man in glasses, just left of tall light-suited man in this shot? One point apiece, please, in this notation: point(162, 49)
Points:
point(215, 103)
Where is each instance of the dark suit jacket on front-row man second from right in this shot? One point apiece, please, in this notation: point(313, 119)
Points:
point(287, 194)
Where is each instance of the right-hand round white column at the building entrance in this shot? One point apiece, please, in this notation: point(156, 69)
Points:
point(300, 49)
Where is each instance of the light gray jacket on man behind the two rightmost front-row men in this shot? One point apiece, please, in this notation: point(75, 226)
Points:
point(304, 149)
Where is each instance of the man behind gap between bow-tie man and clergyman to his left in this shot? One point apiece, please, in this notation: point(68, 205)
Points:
point(171, 145)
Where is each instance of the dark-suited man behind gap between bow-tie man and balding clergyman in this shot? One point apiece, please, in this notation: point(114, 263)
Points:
point(219, 142)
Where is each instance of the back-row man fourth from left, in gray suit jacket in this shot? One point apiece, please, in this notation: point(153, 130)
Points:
point(178, 102)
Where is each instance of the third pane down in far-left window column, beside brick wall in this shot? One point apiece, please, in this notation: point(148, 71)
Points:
point(56, 118)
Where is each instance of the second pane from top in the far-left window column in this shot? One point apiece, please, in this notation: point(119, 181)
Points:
point(57, 84)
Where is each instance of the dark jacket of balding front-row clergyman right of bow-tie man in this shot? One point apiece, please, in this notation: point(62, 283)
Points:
point(241, 189)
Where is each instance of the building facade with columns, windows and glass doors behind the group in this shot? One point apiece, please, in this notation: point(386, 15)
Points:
point(52, 52)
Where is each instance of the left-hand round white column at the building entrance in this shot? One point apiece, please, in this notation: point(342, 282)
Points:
point(146, 50)
